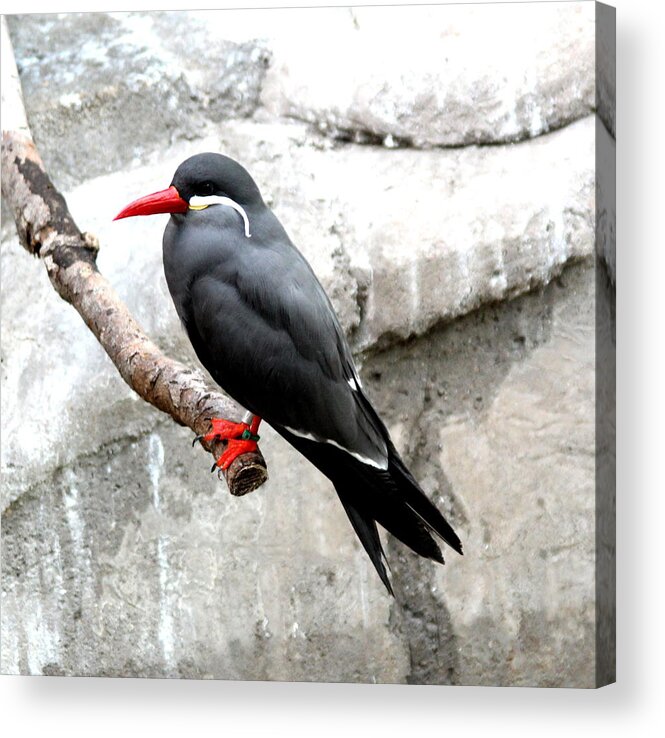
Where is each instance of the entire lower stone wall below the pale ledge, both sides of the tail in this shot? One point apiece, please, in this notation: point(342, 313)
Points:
point(132, 560)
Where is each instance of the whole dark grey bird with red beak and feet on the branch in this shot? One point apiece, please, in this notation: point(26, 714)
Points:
point(263, 326)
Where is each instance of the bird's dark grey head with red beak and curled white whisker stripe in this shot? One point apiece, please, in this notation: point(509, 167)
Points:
point(201, 181)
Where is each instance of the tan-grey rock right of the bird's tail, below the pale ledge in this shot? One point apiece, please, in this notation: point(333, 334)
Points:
point(496, 413)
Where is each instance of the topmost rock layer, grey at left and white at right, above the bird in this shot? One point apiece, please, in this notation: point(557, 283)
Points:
point(418, 75)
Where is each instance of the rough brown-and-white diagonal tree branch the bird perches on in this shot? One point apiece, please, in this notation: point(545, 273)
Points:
point(46, 229)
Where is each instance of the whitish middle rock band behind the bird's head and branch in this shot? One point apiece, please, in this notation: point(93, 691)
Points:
point(401, 240)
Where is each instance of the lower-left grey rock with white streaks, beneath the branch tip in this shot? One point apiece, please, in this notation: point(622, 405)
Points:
point(141, 566)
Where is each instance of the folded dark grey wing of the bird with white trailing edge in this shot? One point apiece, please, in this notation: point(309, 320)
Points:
point(270, 337)
